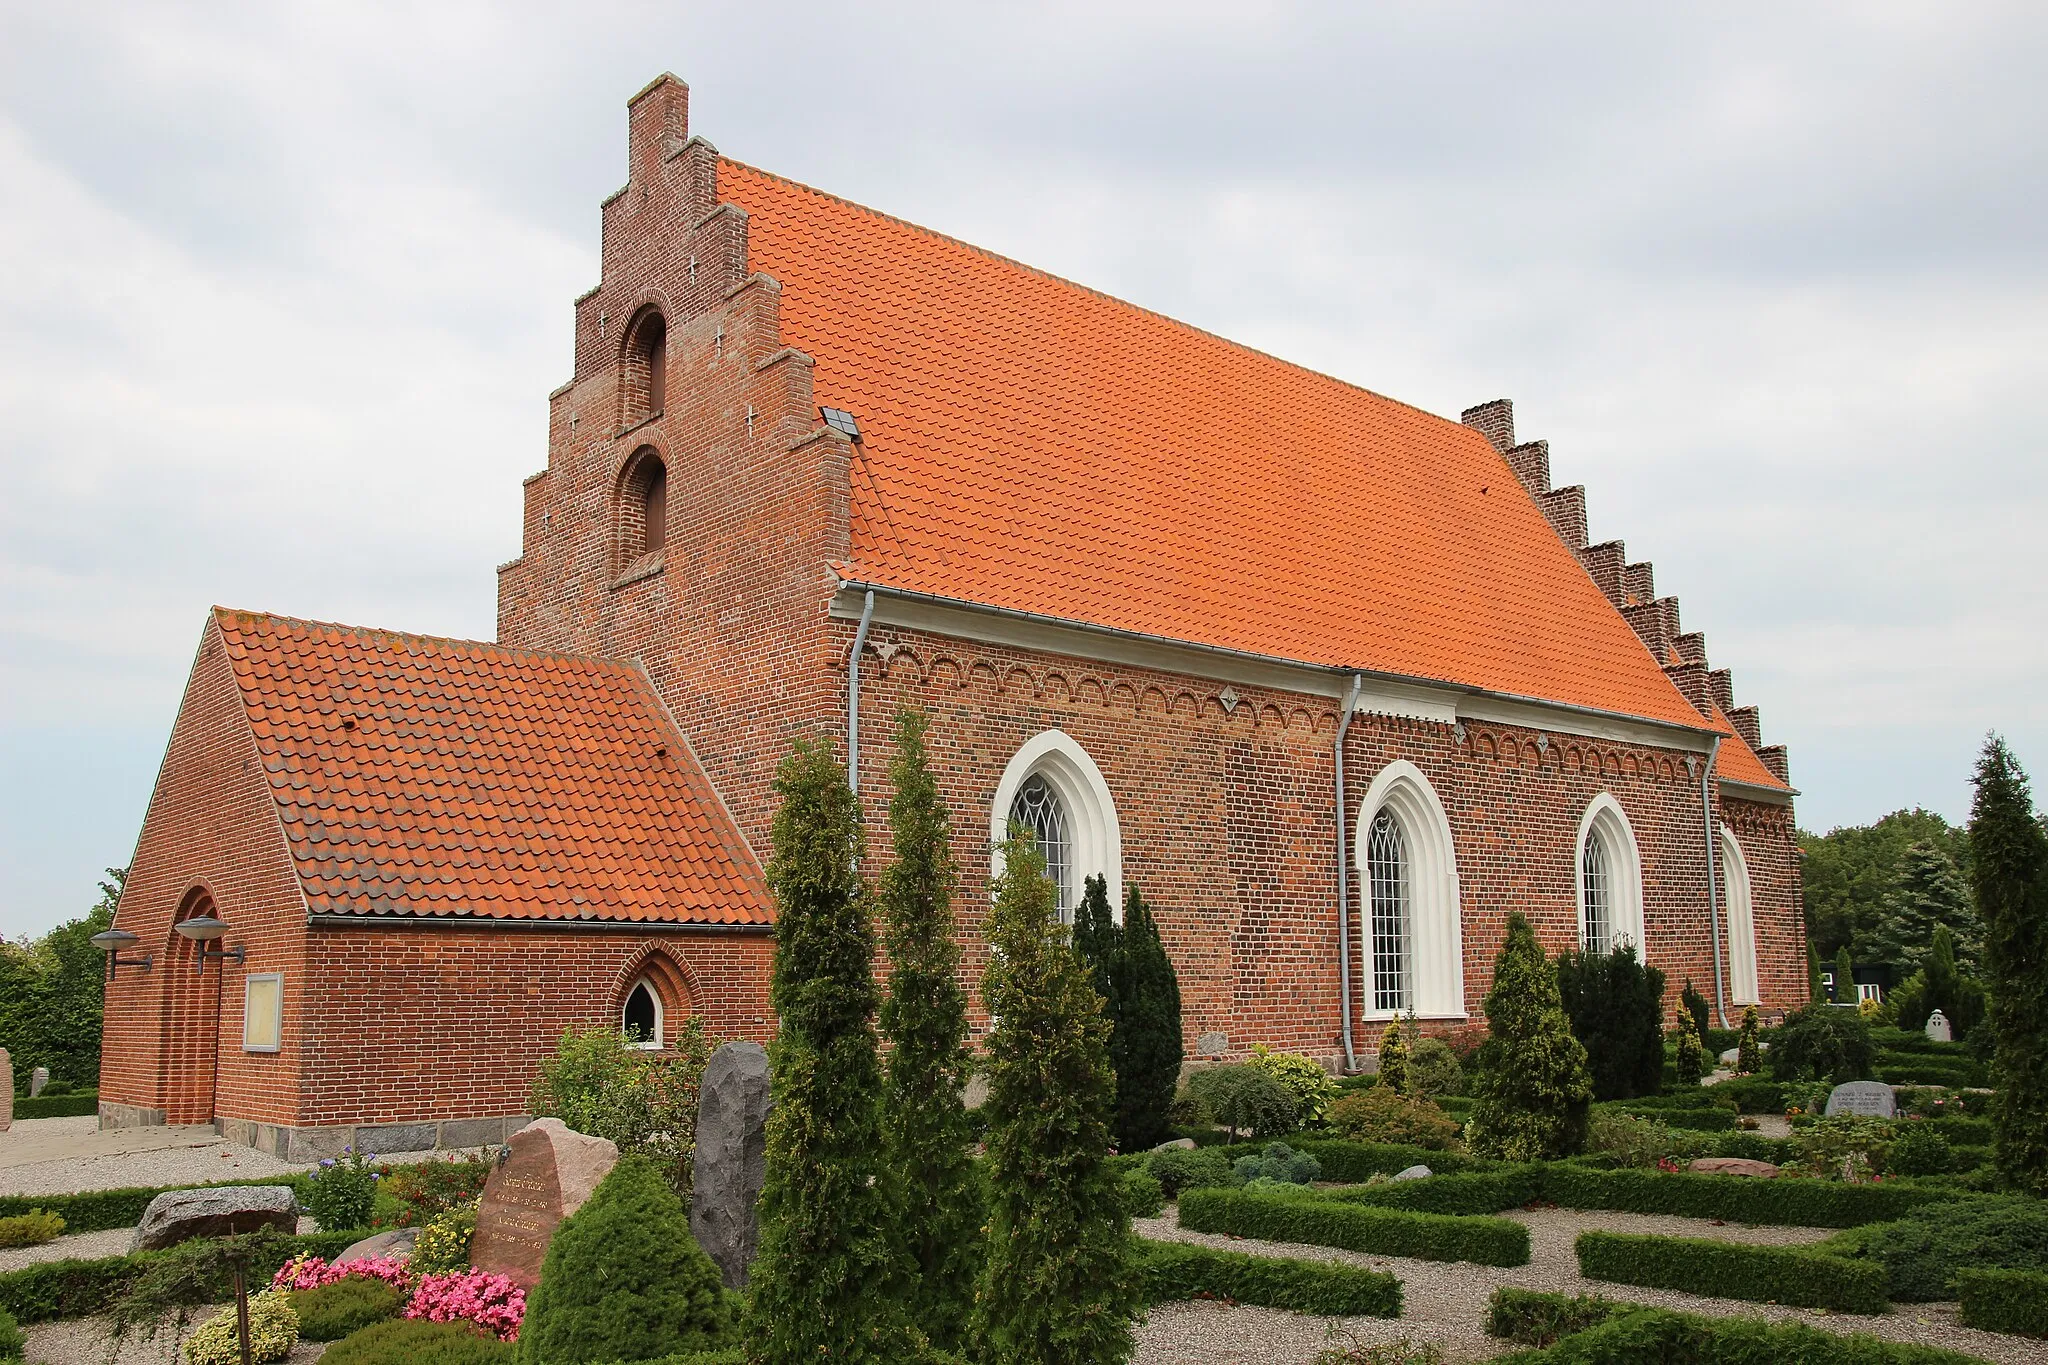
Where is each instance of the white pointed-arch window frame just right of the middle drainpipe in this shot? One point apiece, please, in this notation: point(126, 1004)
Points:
point(1435, 930)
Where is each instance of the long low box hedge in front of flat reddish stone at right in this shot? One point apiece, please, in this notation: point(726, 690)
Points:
point(1785, 1202)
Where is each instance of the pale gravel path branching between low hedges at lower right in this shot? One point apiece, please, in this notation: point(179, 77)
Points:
point(1447, 1303)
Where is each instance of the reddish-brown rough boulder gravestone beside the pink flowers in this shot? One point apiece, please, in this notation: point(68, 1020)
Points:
point(548, 1172)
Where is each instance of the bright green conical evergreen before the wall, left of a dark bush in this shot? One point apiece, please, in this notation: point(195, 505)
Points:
point(1533, 1094)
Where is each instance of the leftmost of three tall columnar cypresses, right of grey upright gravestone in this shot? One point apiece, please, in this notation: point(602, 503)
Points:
point(824, 1247)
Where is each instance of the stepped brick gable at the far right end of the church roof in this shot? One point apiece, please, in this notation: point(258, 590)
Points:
point(1631, 588)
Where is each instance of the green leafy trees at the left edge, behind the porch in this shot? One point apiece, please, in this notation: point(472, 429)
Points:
point(52, 996)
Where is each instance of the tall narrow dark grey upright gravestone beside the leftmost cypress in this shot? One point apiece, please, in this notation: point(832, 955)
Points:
point(732, 1159)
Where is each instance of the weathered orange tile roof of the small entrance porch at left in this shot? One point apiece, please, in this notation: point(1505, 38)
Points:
point(423, 777)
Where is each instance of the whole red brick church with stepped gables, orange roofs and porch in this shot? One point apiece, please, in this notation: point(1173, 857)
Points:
point(1334, 680)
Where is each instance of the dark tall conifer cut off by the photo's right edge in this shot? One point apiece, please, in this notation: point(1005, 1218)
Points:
point(2010, 865)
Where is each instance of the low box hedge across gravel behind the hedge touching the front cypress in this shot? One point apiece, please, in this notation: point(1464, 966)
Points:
point(1326, 1223)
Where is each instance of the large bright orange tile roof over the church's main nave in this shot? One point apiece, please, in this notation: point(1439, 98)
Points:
point(1041, 447)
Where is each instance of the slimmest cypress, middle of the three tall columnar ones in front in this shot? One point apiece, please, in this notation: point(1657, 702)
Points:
point(935, 1200)
